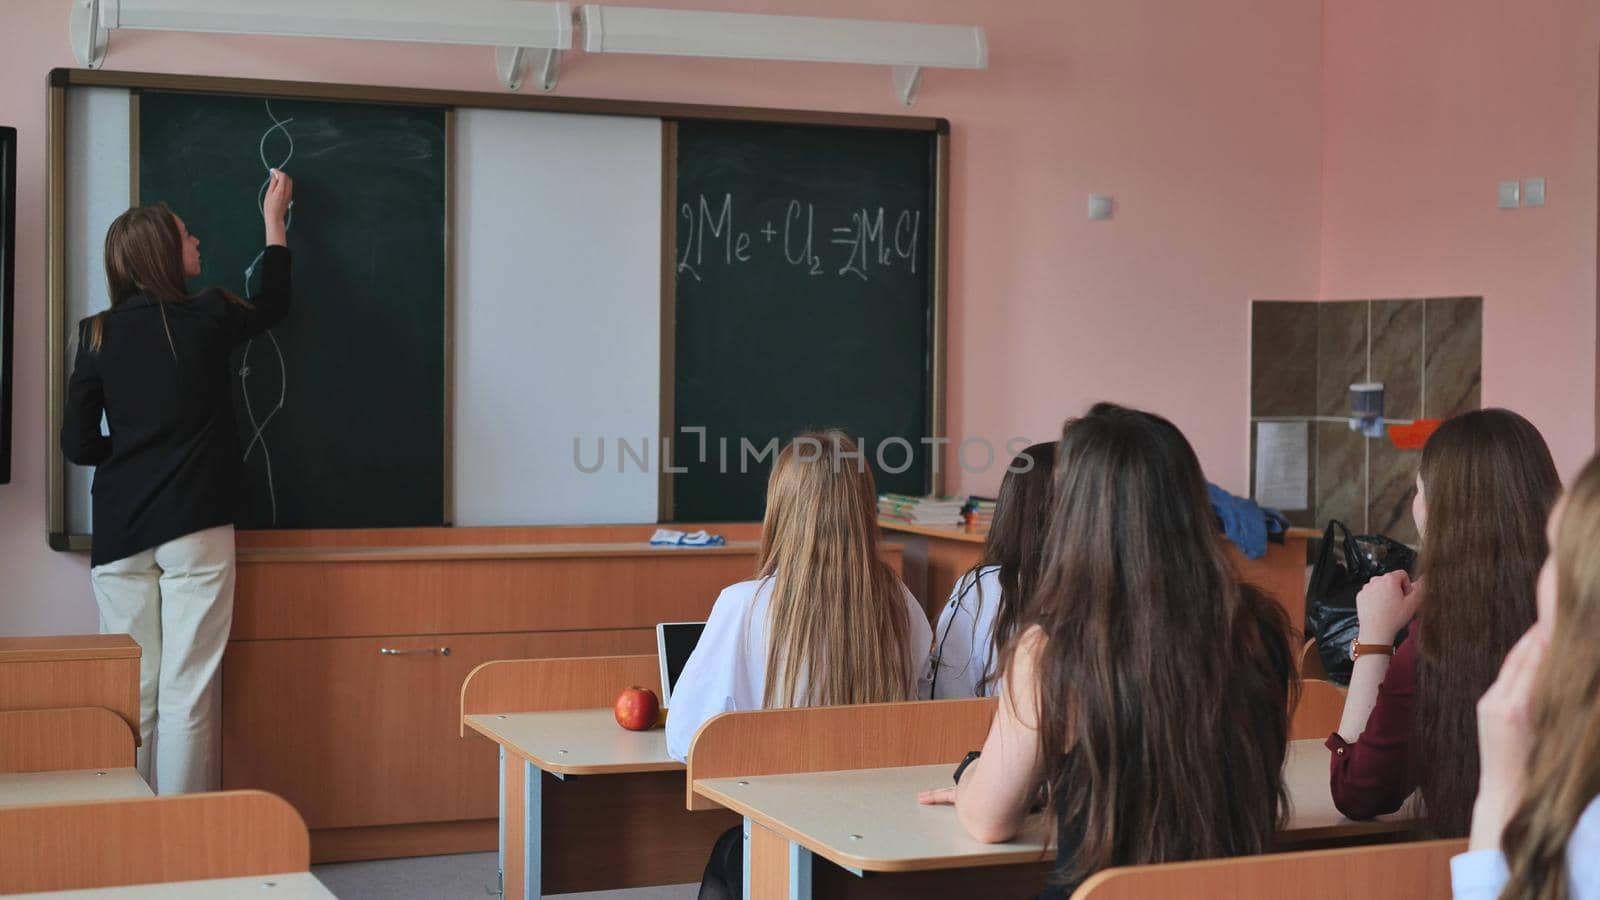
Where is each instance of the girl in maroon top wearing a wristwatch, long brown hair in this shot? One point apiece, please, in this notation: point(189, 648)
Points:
point(1484, 491)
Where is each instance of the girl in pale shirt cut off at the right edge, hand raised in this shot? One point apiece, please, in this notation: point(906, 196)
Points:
point(1537, 819)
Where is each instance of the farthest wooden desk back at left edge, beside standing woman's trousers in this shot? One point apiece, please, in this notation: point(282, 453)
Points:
point(73, 670)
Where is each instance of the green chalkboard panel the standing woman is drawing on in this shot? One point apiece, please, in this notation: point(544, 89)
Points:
point(342, 408)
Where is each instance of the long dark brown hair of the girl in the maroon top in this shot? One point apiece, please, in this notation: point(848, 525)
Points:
point(1489, 484)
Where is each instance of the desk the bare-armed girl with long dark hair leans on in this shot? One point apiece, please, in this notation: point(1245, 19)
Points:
point(870, 821)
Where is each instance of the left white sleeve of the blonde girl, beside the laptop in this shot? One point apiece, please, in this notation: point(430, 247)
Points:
point(708, 686)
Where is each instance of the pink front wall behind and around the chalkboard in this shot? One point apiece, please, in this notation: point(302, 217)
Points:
point(1204, 119)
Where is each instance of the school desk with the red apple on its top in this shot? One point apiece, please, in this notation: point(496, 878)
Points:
point(666, 843)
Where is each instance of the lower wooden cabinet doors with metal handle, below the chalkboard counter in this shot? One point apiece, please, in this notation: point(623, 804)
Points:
point(356, 736)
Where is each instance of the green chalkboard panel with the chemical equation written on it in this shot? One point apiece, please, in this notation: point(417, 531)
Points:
point(804, 299)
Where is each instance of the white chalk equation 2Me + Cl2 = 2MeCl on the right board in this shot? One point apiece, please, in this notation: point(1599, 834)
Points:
point(868, 241)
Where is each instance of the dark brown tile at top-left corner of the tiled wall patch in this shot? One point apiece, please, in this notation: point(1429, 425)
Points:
point(1282, 360)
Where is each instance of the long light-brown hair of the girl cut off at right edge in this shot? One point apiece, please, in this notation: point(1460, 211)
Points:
point(1564, 769)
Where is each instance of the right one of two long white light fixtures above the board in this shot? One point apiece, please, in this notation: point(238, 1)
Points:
point(906, 47)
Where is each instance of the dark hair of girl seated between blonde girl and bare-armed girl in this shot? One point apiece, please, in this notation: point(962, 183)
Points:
point(1015, 545)
